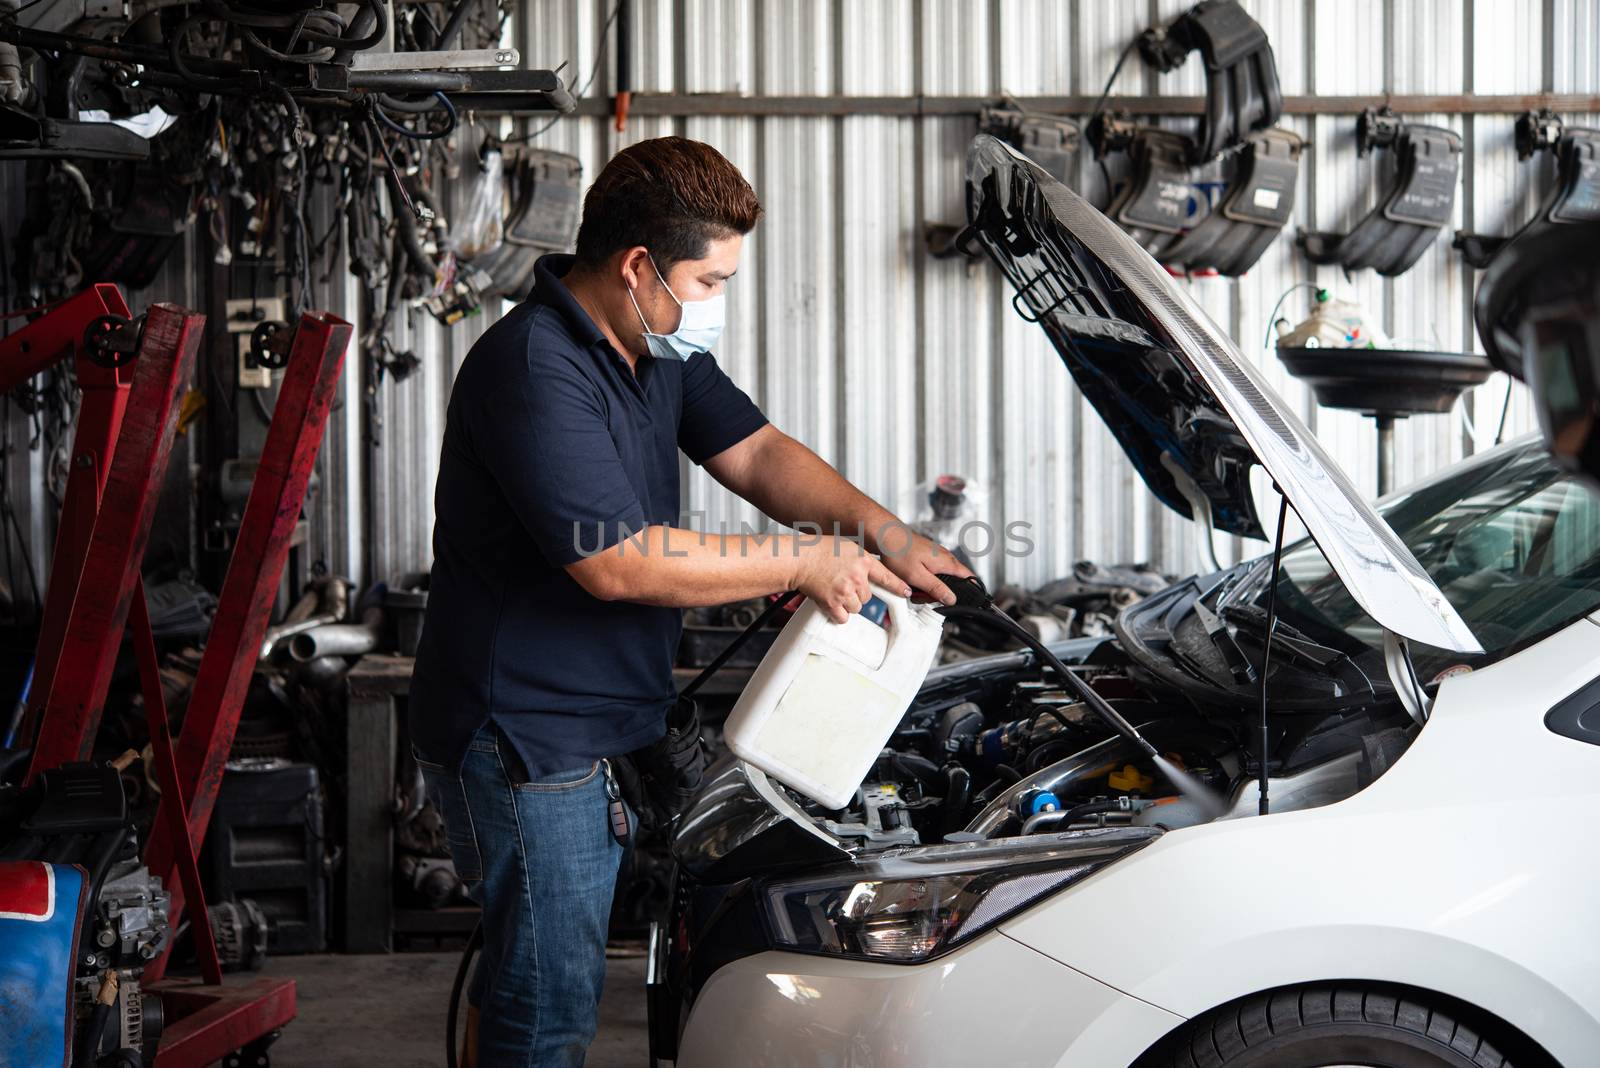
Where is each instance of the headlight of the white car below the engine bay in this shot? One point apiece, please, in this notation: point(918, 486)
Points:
point(919, 904)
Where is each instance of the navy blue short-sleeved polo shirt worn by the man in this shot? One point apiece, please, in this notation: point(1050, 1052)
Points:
point(554, 450)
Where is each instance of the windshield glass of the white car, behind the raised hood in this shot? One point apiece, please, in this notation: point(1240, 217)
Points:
point(1508, 538)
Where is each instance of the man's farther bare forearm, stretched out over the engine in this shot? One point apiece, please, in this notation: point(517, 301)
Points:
point(794, 485)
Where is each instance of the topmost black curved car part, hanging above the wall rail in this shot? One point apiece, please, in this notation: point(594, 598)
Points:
point(1242, 90)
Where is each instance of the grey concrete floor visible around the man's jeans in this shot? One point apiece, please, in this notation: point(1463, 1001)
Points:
point(391, 1011)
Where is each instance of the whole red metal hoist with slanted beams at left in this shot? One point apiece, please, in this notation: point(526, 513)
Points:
point(121, 452)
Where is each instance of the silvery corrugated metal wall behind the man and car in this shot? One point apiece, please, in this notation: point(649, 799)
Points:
point(897, 367)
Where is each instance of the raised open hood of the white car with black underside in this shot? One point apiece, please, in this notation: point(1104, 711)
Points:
point(1188, 408)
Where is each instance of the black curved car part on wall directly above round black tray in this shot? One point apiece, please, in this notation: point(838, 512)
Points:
point(1396, 234)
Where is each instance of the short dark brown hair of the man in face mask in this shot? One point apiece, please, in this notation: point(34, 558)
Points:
point(670, 194)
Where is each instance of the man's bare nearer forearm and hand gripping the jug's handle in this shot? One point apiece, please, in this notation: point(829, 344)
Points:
point(678, 568)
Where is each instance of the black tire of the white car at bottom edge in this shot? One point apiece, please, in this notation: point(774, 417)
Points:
point(1310, 1027)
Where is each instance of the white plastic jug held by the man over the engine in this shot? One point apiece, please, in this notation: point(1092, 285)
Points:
point(828, 696)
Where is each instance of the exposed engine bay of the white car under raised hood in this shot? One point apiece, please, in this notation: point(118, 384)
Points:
point(998, 747)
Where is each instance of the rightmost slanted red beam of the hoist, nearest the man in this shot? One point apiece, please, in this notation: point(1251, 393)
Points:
point(249, 591)
